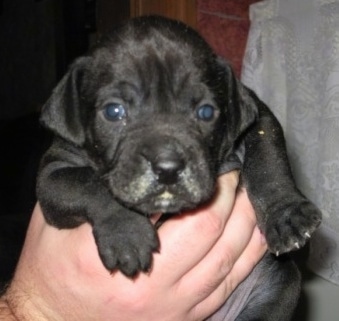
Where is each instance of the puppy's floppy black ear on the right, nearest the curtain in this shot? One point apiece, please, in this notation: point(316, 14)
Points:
point(242, 107)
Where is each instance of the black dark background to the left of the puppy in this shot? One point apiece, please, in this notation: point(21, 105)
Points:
point(39, 39)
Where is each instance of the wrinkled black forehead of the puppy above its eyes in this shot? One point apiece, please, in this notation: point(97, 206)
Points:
point(154, 63)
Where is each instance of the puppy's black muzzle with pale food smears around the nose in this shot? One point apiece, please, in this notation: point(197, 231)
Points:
point(162, 174)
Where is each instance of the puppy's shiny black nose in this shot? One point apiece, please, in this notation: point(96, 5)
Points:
point(167, 167)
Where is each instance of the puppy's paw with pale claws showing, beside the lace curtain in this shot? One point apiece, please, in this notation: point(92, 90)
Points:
point(290, 228)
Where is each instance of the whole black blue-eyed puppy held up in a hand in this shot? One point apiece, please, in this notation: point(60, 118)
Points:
point(144, 124)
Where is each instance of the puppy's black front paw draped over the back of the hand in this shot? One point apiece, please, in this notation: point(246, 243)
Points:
point(126, 244)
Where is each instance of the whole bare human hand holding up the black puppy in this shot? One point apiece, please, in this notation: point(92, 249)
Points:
point(203, 257)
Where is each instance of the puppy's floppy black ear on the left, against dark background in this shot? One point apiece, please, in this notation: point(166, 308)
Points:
point(62, 113)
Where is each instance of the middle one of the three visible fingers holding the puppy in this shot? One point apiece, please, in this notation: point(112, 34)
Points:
point(218, 263)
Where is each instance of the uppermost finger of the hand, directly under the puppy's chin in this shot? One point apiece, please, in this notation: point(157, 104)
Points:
point(187, 238)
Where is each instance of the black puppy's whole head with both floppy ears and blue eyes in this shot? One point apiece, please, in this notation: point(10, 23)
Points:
point(157, 112)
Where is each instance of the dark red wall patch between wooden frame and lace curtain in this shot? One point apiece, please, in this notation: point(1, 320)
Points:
point(225, 24)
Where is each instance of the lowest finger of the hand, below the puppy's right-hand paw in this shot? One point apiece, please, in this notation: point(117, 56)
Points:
point(241, 269)
